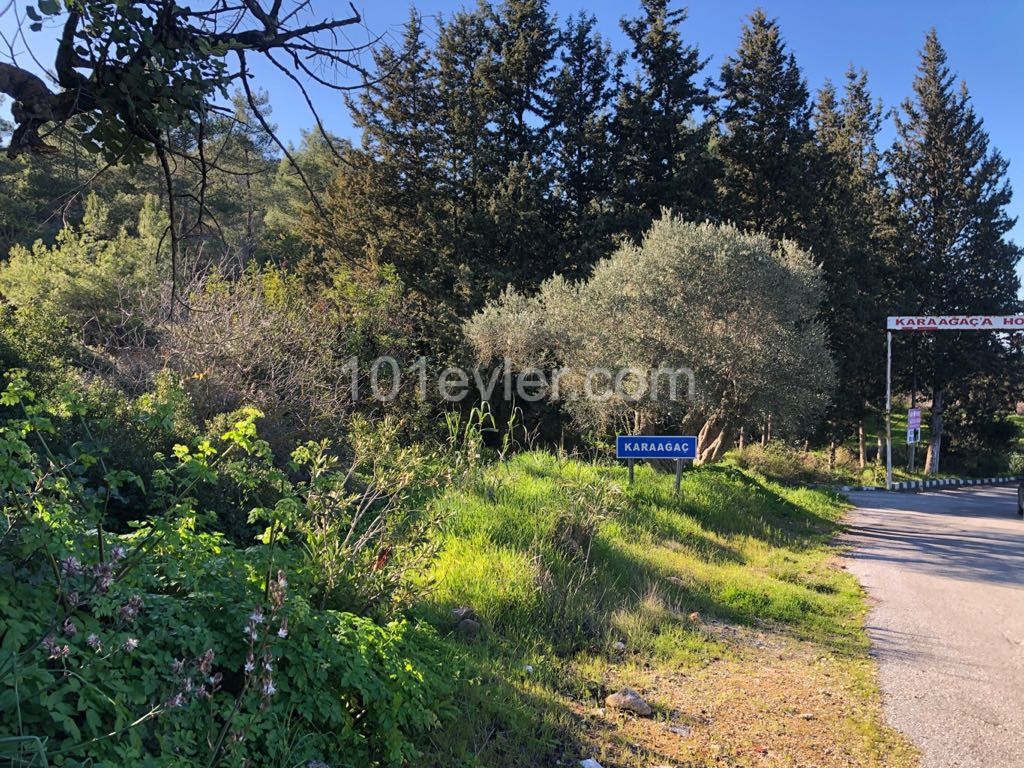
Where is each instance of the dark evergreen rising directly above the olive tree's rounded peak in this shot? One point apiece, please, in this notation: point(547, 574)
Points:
point(661, 147)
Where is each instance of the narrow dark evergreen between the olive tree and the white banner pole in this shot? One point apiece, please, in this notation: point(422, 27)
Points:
point(855, 233)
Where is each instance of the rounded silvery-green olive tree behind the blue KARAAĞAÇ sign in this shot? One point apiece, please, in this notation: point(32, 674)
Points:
point(732, 312)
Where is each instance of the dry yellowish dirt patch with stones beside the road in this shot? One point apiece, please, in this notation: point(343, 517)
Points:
point(771, 702)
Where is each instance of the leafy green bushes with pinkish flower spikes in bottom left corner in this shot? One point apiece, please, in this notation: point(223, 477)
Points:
point(170, 647)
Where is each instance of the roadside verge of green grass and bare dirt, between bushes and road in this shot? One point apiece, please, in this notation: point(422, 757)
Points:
point(726, 609)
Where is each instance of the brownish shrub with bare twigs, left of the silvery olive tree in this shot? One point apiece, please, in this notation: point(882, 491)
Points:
point(268, 342)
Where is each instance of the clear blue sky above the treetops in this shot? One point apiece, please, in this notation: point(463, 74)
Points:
point(983, 38)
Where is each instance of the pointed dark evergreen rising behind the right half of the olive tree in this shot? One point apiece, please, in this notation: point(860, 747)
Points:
point(766, 141)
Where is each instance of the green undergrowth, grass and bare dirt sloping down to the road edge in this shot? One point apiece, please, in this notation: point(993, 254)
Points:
point(429, 606)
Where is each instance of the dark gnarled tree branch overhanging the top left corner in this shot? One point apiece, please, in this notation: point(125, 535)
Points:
point(164, 64)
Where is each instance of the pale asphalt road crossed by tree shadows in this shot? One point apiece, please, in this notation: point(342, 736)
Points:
point(946, 575)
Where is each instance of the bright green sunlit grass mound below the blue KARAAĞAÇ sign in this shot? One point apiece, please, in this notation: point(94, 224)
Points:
point(561, 560)
